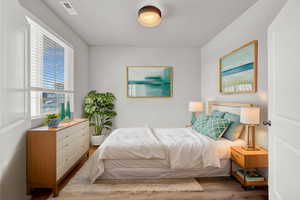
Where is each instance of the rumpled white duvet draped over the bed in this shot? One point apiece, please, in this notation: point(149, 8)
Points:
point(182, 147)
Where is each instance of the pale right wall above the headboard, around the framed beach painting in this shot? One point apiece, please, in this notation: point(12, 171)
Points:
point(252, 25)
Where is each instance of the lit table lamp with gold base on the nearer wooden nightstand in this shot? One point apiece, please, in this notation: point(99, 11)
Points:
point(250, 116)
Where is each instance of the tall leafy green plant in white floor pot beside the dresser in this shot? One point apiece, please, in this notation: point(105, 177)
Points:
point(99, 109)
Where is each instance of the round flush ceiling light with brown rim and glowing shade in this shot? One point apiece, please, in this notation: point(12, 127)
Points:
point(149, 16)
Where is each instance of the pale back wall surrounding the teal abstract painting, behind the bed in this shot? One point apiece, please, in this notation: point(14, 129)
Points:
point(107, 73)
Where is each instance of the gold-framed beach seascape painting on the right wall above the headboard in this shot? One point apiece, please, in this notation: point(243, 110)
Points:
point(238, 70)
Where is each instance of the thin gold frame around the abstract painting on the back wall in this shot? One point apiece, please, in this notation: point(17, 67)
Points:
point(171, 71)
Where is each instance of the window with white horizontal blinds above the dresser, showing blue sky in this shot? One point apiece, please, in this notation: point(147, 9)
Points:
point(51, 72)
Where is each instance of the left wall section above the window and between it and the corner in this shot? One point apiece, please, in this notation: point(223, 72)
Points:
point(81, 62)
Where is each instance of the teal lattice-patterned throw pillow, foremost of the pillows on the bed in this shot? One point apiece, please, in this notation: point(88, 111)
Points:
point(215, 127)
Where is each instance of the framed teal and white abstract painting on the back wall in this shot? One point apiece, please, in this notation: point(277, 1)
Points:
point(149, 81)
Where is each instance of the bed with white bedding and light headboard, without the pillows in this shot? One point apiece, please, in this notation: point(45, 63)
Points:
point(153, 153)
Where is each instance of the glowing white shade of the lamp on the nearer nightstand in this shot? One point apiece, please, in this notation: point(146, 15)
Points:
point(250, 115)
